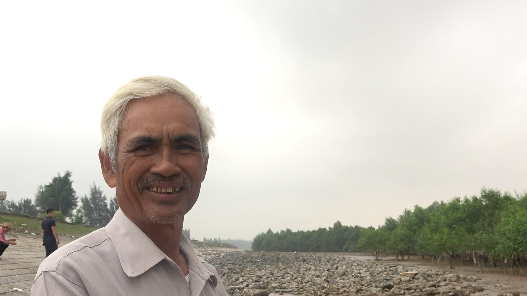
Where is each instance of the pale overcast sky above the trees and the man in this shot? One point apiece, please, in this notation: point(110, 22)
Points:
point(325, 110)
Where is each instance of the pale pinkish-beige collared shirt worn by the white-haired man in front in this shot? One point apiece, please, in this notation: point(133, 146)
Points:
point(120, 259)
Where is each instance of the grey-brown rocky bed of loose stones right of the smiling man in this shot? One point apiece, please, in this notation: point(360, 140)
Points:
point(262, 273)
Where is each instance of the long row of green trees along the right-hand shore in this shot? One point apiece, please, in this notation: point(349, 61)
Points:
point(487, 229)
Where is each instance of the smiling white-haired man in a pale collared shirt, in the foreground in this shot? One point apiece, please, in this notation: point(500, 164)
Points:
point(154, 152)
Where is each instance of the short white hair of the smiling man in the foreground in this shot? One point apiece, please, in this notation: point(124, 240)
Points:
point(145, 87)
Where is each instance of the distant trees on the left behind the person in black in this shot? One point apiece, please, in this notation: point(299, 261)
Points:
point(92, 209)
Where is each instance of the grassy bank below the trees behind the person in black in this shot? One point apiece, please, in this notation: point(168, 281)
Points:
point(21, 224)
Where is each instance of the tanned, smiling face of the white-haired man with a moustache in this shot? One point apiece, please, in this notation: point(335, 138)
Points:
point(160, 163)
